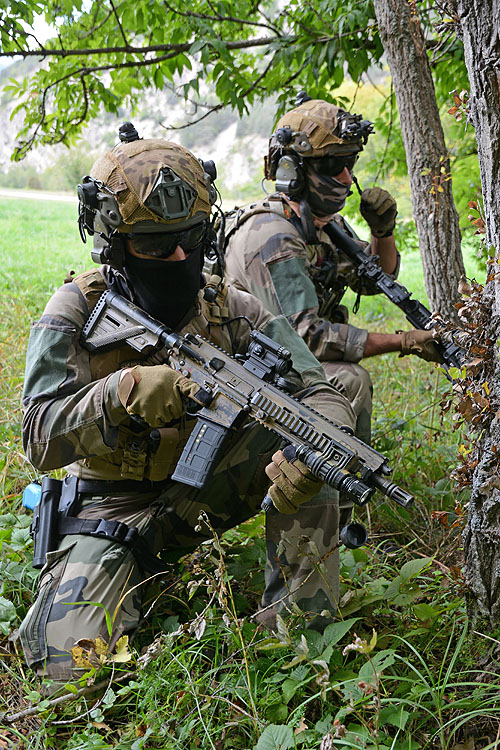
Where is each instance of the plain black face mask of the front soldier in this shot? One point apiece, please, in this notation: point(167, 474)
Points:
point(165, 289)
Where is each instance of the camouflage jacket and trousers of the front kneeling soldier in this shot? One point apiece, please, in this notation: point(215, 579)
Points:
point(73, 418)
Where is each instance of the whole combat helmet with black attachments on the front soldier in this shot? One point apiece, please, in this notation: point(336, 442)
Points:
point(145, 189)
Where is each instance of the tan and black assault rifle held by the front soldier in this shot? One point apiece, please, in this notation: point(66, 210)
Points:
point(233, 391)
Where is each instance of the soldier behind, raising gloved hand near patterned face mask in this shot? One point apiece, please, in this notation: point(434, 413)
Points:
point(278, 250)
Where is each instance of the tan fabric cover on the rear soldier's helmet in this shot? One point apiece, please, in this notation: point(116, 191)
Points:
point(318, 120)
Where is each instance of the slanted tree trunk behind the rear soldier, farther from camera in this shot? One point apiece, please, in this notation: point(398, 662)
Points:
point(434, 210)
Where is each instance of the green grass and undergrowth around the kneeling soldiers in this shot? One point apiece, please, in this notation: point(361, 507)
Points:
point(399, 671)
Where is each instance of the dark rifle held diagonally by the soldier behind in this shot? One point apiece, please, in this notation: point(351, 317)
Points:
point(368, 267)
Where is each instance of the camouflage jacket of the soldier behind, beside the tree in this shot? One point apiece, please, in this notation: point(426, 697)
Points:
point(267, 256)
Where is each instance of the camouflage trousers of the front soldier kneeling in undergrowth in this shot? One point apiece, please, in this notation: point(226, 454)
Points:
point(87, 577)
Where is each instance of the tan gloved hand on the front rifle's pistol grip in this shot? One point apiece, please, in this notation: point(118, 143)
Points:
point(156, 394)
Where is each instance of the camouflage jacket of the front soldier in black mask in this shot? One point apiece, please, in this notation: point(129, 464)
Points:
point(73, 417)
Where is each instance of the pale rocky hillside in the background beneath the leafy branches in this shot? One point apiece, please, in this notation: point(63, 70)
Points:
point(236, 145)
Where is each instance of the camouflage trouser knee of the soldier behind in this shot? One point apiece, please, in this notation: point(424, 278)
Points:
point(354, 382)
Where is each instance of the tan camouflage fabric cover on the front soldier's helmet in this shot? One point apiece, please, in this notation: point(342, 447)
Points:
point(131, 170)
